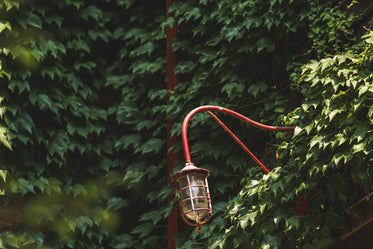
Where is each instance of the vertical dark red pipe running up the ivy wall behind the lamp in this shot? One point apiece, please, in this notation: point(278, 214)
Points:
point(172, 80)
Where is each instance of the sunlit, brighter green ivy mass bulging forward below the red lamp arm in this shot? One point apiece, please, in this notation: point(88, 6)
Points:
point(300, 204)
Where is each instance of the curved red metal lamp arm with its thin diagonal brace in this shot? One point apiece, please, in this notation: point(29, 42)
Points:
point(233, 114)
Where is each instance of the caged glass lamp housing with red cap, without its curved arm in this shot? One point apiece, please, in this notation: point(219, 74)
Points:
point(193, 193)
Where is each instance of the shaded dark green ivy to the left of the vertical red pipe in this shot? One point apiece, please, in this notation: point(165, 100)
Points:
point(83, 141)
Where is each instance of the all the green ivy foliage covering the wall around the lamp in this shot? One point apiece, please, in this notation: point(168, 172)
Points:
point(83, 120)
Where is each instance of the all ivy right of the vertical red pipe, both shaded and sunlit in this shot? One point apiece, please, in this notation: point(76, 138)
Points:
point(252, 57)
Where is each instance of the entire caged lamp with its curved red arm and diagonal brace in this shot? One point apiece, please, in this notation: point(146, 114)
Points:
point(191, 181)
